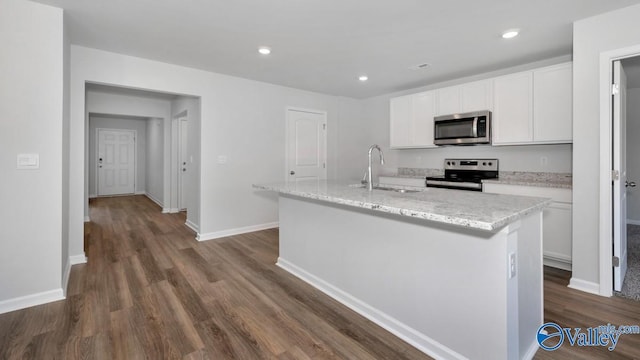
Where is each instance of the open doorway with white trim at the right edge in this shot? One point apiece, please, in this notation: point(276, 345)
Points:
point(618, 171)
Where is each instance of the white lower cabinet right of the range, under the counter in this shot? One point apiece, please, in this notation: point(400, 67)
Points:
point(556, 220)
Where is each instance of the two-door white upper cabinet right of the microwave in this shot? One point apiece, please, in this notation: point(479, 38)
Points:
point(533, 107)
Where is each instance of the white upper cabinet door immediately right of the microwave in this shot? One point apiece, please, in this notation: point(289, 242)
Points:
point(512, 109)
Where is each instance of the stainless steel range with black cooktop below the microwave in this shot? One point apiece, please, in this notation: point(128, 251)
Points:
point(465, 174)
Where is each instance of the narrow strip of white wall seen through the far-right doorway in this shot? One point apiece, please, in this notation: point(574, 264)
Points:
point(633, 154)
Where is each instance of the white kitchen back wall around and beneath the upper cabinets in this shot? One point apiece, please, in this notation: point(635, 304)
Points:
point(375, 122)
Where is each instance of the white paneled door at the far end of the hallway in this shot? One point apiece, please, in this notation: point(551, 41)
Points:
point(116, 162)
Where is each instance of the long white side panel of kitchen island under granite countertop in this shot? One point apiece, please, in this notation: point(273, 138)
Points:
point(442, 288)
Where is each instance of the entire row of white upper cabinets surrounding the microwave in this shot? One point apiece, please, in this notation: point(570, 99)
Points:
point(529, 107)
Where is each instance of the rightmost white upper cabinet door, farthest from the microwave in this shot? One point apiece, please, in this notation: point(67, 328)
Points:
point(553, 102)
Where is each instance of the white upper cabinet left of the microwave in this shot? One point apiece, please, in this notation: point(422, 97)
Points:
point(411, 121)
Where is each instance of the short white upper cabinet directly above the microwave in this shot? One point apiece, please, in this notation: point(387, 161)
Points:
point(474, 96)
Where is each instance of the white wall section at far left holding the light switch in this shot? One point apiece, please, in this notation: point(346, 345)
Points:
point(31, 99)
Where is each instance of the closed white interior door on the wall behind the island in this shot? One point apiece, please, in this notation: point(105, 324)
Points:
point(306, 145)
